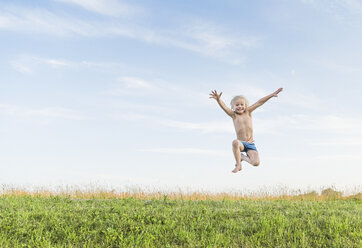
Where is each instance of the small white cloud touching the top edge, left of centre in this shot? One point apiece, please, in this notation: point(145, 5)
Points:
point(112, 8)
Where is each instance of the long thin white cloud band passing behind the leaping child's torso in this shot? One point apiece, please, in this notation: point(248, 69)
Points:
point(329, 124)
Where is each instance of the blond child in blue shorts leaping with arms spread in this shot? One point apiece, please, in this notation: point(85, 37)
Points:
point(240, 112)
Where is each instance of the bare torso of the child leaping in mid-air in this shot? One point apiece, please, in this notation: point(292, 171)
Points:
point(243, 126)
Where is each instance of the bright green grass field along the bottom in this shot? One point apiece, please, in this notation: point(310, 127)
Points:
point(27, 221)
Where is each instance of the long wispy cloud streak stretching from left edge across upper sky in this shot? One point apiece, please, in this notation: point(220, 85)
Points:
point(201, 37)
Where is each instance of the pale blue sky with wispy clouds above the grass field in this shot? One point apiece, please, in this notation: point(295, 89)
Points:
point(115, 93)
